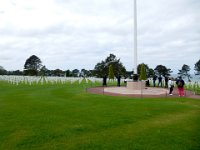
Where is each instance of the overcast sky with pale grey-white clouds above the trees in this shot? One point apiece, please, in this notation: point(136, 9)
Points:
point(70, 34)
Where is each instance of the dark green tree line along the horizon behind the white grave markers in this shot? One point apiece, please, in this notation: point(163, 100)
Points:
point(111, 67)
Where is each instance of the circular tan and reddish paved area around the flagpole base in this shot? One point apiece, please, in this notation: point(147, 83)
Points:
point(147, 92)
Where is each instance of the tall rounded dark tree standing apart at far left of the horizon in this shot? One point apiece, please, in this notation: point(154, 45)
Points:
point(32, 65)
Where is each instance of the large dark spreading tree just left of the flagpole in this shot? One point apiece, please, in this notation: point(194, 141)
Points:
point(102, 68)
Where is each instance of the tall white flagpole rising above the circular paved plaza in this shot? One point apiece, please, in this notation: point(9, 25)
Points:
point(135, 37)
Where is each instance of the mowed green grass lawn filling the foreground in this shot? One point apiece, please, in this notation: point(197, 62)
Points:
point(65, 117)
